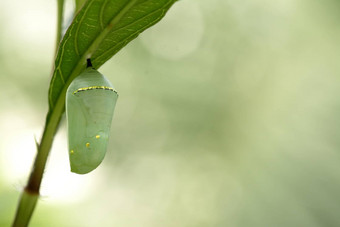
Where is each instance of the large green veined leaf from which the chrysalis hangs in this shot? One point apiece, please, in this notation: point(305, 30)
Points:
point(98, 31)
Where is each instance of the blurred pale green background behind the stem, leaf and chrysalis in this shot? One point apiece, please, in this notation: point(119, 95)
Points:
point(228, 115)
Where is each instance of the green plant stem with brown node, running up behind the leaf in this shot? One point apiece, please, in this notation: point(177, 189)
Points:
point(30, 194)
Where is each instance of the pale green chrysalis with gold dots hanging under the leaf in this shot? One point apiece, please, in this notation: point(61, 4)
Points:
point(90, 103)
